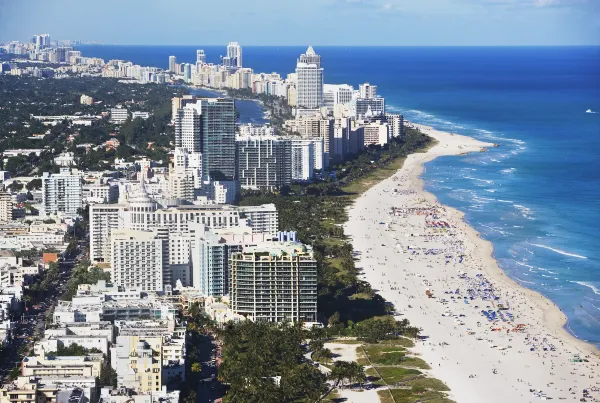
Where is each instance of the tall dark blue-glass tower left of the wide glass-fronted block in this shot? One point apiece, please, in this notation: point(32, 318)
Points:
point(218, 139)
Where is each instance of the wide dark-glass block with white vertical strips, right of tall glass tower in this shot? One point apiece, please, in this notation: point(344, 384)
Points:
point(264, 162)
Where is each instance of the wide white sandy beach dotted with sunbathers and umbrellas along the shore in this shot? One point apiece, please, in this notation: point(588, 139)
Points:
point(489, 339)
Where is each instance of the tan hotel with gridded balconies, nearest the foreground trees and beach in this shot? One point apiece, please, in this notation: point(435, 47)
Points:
point(275, 282)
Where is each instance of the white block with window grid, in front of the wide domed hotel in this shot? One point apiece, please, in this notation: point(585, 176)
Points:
point(137, 260)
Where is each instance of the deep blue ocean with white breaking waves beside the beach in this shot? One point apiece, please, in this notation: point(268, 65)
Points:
point(537, 196)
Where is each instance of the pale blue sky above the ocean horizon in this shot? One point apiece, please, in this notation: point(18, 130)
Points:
point(317, 22)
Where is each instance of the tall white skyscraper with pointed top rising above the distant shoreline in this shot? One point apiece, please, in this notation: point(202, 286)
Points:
point(310, 80)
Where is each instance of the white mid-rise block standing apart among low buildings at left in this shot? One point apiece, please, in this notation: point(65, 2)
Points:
point(62, 193)
